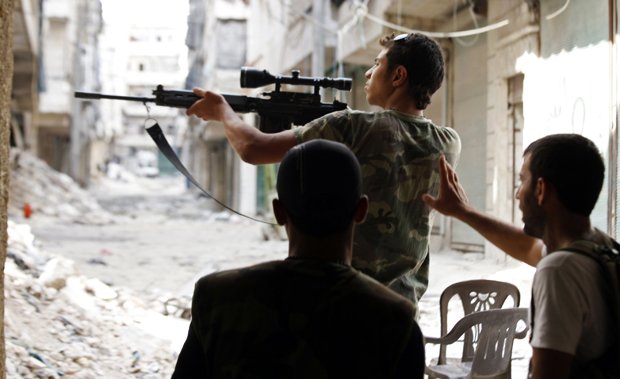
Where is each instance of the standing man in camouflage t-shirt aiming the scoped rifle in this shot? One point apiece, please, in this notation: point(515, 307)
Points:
point(397, 147)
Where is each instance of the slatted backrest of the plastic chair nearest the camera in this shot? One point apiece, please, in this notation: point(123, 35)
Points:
point(494, 348)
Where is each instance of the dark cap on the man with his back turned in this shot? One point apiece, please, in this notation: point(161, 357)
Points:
point(319, 186)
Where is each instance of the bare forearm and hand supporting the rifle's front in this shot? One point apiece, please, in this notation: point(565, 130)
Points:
point(252, 145)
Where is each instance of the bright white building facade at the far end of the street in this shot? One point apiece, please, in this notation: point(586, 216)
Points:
point(138, 54)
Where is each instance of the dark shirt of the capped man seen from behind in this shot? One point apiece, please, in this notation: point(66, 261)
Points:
point(299, 318)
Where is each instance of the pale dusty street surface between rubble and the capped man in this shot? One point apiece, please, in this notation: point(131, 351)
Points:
point(161, 238)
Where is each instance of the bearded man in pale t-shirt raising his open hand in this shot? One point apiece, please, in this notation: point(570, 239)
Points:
point(561, 178)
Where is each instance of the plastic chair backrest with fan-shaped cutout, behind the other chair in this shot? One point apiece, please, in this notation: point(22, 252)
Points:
point(476, 296)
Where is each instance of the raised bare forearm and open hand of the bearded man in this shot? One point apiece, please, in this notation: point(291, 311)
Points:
point(452, 201)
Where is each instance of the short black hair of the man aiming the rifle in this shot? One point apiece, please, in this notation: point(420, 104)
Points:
point(423, 59)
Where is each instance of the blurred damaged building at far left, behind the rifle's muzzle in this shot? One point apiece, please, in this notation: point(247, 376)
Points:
point(55, 45)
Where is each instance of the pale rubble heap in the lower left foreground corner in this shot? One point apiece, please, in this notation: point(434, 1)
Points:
point(59, 323)
